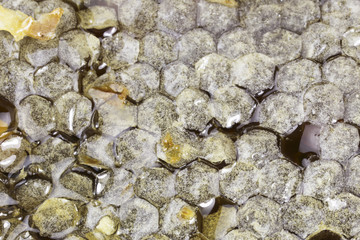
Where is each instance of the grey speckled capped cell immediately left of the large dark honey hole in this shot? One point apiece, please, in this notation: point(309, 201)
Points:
point(258, 147)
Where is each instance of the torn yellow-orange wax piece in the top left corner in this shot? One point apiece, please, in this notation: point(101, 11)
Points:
point(21, 25)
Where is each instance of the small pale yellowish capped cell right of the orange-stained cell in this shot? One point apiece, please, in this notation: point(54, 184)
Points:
point(218, 149)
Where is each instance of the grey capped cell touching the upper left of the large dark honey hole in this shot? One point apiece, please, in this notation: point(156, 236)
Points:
point(281, 112)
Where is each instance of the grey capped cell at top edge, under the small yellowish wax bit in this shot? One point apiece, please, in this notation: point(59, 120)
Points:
point(216, 18)
